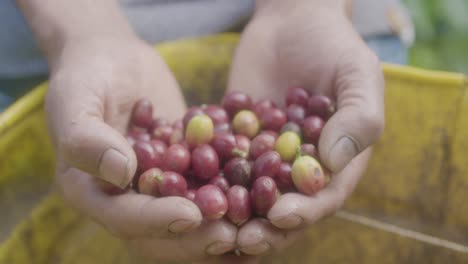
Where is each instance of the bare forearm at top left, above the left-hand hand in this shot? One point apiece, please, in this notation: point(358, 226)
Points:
point(56, 22)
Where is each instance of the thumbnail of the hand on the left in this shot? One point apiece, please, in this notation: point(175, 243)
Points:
point(114, 168)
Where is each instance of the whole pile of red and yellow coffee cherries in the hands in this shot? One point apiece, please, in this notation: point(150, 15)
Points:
point(235, 159)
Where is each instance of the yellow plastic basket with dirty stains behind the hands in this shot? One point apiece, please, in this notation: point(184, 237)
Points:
point(410, 206)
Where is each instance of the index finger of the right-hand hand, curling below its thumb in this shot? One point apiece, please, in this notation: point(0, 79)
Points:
point(294, 209)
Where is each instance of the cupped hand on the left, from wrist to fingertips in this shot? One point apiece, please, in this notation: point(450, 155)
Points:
point(93, 86)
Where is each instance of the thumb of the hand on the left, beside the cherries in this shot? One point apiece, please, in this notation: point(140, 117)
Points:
point(93, 146)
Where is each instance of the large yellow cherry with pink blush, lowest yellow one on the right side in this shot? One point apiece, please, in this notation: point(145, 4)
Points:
point(307, 175)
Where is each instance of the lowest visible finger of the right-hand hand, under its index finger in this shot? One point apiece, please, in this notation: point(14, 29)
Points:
point(259, 237)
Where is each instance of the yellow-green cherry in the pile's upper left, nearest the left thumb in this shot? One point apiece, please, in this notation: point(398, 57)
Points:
point(199, 131)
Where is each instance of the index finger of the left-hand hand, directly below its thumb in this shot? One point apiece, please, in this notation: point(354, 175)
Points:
point(129, 215)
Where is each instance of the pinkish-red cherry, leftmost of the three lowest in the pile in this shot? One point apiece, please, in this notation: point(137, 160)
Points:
point(211, 201)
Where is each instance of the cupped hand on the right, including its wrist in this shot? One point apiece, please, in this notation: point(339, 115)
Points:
point(311, 44)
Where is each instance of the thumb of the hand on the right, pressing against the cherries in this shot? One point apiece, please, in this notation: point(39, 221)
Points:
point(359, 119)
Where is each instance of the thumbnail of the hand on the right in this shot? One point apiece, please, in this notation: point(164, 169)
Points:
point(342, 153)
